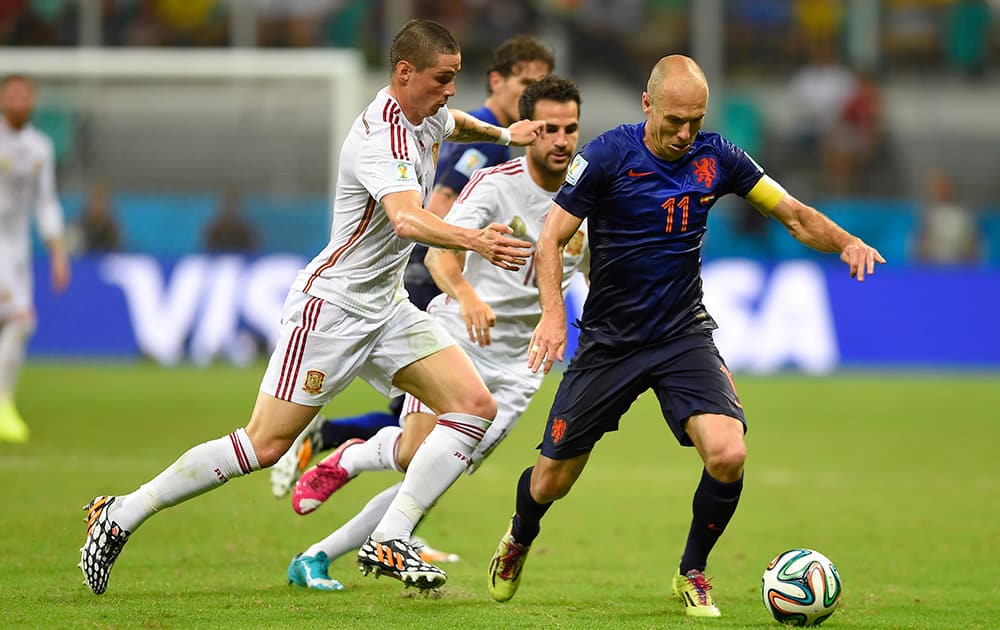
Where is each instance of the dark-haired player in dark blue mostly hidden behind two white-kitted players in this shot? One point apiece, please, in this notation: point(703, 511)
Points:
point(515, 64)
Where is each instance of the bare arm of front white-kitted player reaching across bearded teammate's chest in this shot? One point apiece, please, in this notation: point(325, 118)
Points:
point(412, 222)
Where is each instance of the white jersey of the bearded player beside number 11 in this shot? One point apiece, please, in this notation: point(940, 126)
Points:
point(497, 195)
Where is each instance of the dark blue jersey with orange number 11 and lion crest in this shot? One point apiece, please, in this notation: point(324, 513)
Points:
point(647, 219)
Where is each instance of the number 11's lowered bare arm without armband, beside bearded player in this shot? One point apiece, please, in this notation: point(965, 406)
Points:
point(548, 341)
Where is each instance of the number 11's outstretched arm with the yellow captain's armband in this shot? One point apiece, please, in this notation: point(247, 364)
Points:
point(813, 228)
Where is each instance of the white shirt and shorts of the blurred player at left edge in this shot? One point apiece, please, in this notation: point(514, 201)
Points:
point(27, 181)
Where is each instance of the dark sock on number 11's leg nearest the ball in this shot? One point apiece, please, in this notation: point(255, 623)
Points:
point(714, 504)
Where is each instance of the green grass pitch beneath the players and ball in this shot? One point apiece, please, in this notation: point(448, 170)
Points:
point(893, 476)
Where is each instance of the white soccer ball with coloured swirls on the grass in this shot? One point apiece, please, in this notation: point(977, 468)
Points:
point(801, 587)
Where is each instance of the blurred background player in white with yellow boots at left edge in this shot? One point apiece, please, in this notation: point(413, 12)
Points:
point(27, 181)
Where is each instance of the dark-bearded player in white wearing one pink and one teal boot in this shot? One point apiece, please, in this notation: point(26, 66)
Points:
point(490, 311)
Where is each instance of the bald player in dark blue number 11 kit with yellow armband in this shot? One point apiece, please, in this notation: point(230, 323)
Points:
point(646, 190)
